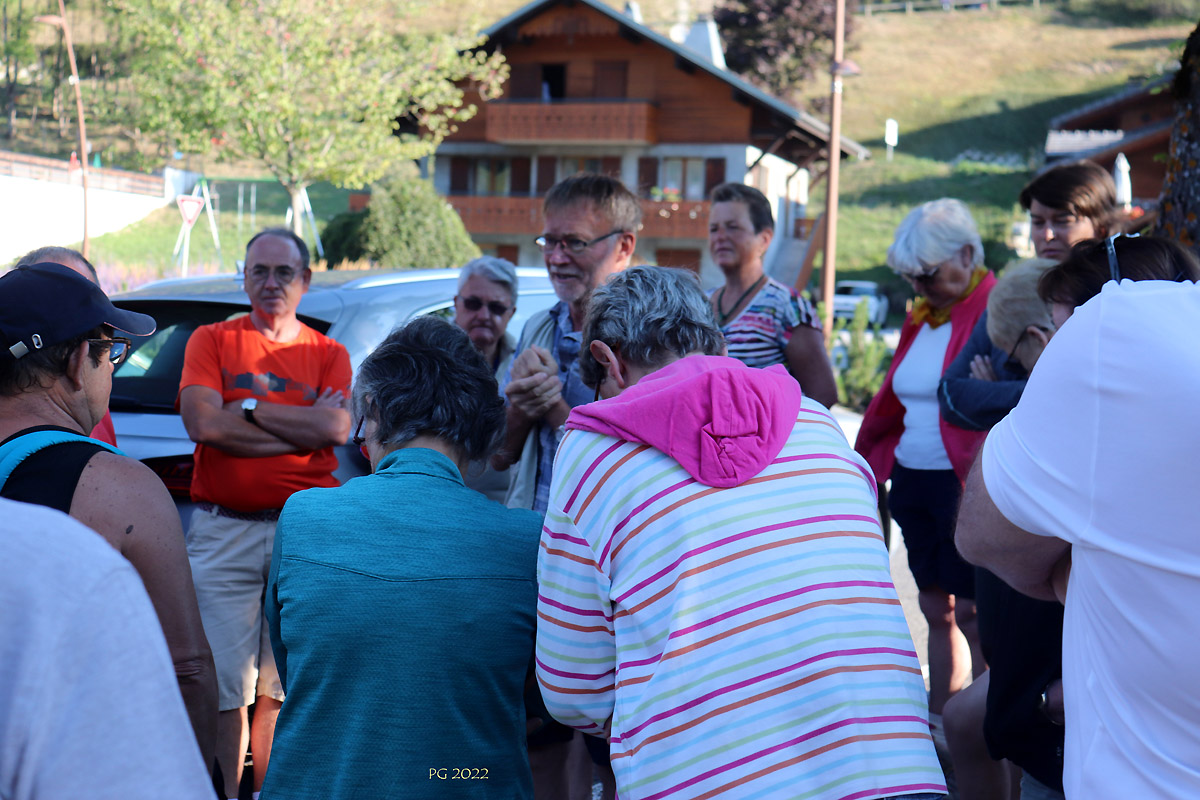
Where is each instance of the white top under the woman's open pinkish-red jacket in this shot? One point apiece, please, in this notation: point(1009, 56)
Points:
point(915, 382)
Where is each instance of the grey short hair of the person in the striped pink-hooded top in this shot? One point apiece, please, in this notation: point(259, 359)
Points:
point(649, 315)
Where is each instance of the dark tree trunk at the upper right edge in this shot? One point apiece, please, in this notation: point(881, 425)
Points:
point(1179, 215)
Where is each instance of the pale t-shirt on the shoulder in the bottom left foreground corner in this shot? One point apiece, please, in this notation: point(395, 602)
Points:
point(89, 703)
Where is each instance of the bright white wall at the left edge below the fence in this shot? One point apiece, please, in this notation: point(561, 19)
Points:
point(35, 214)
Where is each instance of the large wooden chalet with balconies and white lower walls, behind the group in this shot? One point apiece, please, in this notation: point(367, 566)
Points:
point(593, 89)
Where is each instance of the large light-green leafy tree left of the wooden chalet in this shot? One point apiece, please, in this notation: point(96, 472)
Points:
point(315, 92)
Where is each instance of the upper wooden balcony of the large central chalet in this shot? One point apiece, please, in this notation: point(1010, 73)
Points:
point(573, 122)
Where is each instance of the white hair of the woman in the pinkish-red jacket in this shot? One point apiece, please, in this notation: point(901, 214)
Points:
point(932, 234)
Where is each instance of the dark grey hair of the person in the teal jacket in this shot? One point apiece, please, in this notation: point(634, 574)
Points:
point(428, 378)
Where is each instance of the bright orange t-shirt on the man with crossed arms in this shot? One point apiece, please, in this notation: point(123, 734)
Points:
point(238, 362)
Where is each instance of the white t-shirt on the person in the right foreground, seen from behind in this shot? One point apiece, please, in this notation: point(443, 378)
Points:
point(1102, 453)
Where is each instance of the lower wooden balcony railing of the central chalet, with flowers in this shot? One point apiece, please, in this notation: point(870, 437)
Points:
point(523, 216)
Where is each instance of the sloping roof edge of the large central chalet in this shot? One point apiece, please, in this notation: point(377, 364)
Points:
point(802, 122)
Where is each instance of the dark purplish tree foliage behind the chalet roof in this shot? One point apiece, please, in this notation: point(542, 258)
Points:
point(778, 45)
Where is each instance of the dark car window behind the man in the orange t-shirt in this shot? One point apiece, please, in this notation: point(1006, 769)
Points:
point(149, 378)
